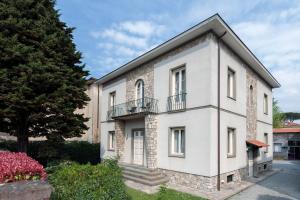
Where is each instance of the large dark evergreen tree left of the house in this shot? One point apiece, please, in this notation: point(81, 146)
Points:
point(42, 80)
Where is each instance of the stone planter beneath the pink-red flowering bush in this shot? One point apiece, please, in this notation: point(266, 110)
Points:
point(25, 190)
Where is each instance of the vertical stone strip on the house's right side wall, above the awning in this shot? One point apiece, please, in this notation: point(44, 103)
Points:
point(251, 109)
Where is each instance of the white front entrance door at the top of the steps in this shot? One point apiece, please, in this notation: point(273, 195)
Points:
point(138, 147)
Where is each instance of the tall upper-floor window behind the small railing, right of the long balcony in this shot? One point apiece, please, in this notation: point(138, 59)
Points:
point(179, 84)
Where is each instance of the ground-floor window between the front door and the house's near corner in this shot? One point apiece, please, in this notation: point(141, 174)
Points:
point(177, 142)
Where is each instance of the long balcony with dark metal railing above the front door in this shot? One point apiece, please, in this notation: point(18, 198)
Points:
point(133, 109)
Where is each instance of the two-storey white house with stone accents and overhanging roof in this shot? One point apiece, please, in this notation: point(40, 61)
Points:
point(163, 112)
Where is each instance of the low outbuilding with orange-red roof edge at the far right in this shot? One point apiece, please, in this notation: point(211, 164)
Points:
point(286, 142)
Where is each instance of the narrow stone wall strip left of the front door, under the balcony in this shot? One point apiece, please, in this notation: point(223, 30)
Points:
point(120, 138)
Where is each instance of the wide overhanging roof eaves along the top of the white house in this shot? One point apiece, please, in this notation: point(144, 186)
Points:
point(215, 24)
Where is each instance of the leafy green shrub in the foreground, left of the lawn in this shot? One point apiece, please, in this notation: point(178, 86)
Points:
point(102, 181)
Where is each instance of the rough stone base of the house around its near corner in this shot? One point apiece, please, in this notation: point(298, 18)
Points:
point(202, 183)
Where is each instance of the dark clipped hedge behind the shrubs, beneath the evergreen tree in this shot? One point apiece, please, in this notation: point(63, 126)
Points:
point(46, 152)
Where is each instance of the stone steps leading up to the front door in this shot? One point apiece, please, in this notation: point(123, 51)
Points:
point(142, 175)
